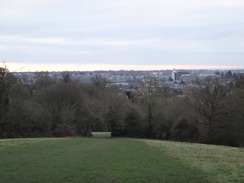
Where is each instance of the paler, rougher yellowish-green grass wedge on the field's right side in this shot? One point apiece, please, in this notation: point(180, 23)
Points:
point(220, 163)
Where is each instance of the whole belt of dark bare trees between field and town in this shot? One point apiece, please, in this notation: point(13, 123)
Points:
point(211, 112)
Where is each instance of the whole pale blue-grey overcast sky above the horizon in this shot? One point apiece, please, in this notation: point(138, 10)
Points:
point(122, 33)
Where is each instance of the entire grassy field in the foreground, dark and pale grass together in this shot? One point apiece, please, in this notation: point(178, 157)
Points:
point(116, 160)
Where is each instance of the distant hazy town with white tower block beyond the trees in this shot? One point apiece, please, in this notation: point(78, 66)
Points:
point(134, 79)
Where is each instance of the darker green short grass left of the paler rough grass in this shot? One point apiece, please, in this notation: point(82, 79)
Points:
point(78, 160)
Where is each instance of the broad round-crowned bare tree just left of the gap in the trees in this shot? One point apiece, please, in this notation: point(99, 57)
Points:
point(66, 103)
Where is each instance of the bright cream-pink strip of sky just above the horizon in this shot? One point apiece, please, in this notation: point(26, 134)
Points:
point(27, 67)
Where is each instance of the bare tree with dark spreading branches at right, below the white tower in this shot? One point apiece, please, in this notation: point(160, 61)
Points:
point(211, 100)
